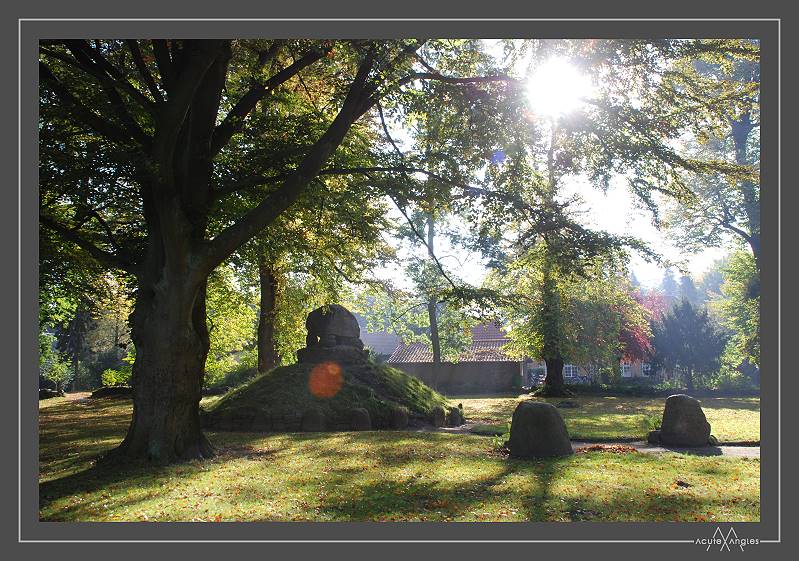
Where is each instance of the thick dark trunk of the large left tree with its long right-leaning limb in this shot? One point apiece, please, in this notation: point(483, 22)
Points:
point(168, 325)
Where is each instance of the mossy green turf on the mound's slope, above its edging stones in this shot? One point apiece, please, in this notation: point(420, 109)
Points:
point(284, 393)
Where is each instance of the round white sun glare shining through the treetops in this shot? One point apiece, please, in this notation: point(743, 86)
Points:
point(557, 88)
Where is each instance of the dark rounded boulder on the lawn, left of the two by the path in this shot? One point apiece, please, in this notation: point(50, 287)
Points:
point(537, 430)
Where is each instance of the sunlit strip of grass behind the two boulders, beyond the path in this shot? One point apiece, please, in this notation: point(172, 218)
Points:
point(732, 419)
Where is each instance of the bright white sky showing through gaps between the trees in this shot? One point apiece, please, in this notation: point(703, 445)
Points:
point(614, 211)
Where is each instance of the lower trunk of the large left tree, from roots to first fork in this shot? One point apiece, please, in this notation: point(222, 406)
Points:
point(169, 330)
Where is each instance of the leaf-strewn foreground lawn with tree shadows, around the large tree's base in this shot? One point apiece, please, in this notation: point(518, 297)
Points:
point(375, 476)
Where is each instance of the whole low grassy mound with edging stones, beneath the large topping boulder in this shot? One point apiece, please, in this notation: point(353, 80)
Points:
point(308, 397)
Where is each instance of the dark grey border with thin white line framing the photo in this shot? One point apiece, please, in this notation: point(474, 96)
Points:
point(29, 529)
